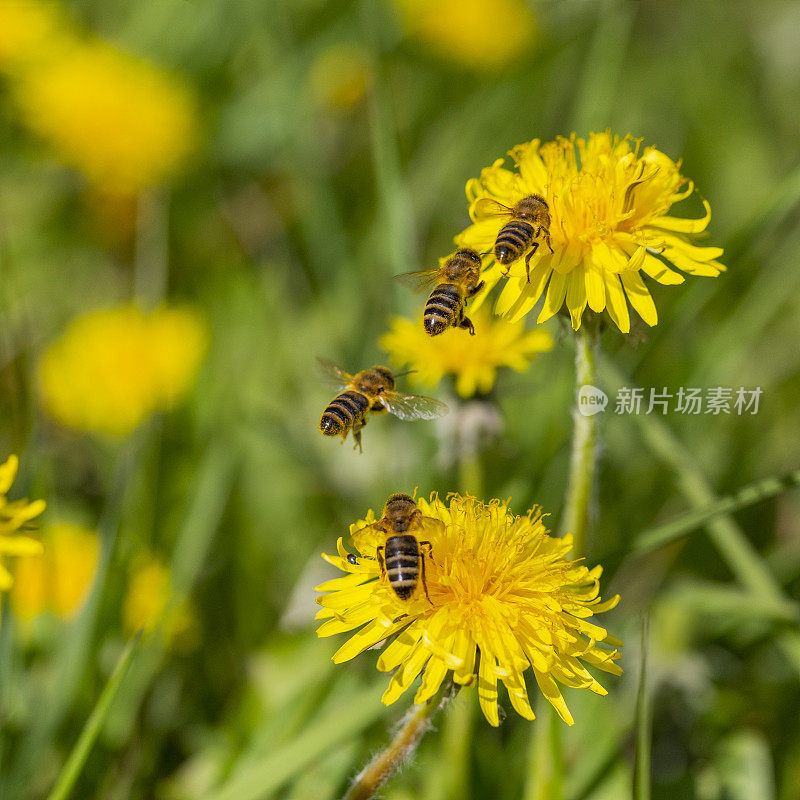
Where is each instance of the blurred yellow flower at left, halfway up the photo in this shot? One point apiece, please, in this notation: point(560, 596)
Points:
point(111, 369)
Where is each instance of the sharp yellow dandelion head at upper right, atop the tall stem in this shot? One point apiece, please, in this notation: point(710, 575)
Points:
point(608, 201)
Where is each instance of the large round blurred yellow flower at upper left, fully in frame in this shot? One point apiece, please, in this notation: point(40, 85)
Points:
point(121, 121)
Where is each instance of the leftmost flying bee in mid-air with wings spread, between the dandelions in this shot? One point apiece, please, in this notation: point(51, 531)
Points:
point(371, 391)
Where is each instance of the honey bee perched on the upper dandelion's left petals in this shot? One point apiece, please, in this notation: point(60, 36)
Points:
point(530, 219)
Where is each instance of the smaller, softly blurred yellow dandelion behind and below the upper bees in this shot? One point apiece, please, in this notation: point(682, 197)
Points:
point(473, 360)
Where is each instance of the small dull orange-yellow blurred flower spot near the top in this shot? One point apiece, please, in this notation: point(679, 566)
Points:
point(339, 77)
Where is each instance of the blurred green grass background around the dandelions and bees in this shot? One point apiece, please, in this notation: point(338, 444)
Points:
point(334, 141)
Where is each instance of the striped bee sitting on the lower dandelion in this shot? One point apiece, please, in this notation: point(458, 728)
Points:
point(402, 555)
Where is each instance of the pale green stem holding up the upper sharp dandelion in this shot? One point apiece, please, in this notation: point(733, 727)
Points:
point(575, 518)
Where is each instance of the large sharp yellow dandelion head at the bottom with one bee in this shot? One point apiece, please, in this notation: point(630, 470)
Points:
point(503, 600)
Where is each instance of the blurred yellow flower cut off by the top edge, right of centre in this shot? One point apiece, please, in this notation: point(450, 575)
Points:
point(482, 34)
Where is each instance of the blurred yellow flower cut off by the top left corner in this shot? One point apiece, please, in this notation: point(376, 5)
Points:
point(30, 32)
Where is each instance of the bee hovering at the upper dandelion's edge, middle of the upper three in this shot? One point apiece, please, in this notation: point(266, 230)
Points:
point(455, 282)
